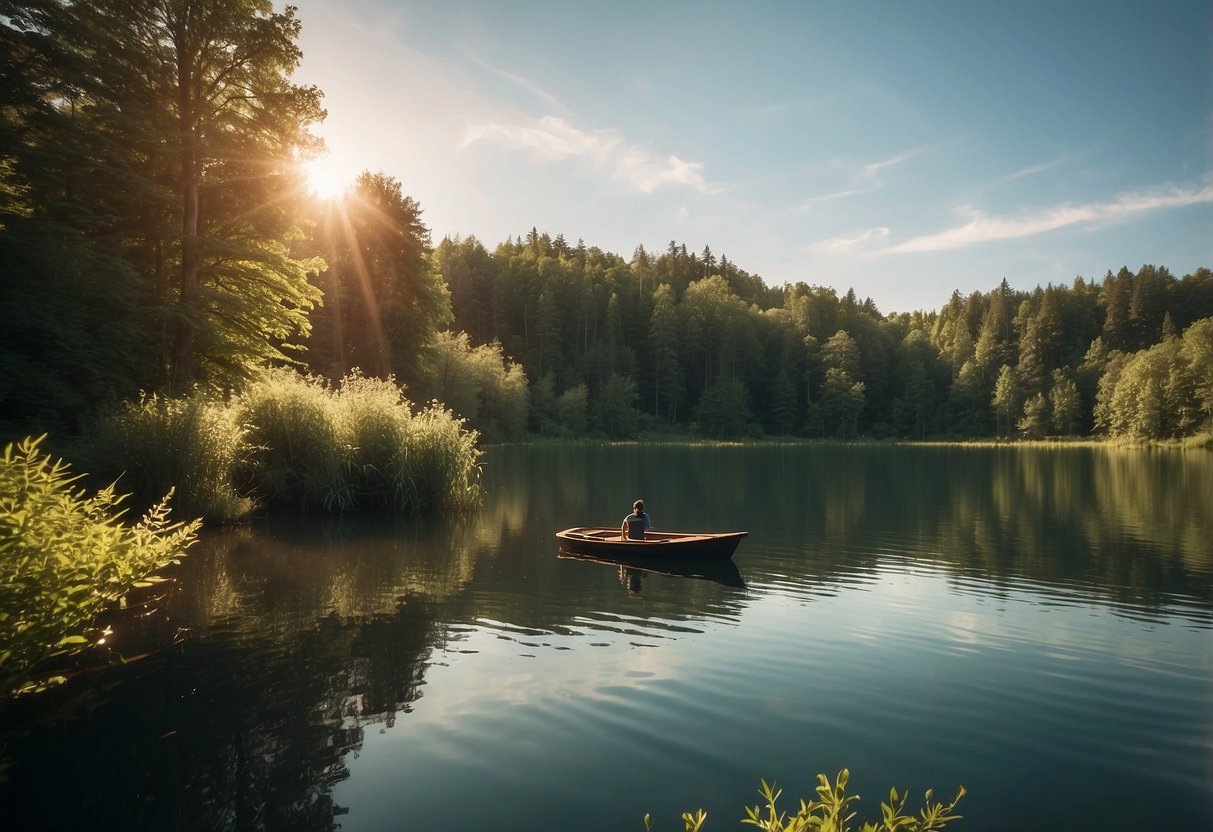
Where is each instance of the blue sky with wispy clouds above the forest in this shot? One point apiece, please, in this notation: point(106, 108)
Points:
point(903, 149)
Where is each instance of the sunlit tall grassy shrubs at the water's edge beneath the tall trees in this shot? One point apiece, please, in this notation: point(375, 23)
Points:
point(295, 442)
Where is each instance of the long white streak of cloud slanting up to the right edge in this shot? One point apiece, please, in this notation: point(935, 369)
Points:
point(983, 229)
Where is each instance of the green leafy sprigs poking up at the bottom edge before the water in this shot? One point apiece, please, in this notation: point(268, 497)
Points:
point(833, 812)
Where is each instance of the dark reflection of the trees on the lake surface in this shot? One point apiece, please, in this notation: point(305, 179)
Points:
point(282, 642)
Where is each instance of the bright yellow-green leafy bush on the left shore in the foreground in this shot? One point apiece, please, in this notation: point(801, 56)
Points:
point(65, 557)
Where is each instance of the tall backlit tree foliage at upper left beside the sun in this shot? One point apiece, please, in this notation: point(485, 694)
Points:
point(151, 196)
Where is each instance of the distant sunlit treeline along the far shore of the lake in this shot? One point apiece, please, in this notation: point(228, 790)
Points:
point(680, 341)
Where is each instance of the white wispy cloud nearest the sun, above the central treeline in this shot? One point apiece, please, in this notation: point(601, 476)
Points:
point(553, 139)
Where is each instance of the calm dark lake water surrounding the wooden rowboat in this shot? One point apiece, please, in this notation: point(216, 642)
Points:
point(1034, 624)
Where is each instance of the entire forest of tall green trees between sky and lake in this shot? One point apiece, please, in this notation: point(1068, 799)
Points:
point(157, 237)
